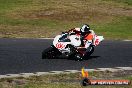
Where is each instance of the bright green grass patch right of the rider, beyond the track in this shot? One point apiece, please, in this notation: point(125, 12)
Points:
point(121, 29)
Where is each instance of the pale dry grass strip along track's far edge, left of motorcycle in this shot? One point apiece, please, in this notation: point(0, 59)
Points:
point(26, 32)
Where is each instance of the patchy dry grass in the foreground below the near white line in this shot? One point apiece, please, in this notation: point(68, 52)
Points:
point(71, 80)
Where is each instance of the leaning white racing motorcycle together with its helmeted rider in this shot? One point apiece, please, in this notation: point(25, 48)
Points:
point(77, 43)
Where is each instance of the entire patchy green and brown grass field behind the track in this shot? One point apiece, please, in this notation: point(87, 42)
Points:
point(42, 18)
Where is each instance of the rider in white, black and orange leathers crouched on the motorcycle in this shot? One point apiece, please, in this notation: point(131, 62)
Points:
point(85, 33)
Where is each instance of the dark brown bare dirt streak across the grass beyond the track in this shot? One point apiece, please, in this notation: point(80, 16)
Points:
point(65, 15)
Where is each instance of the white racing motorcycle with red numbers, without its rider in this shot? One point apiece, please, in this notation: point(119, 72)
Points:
point(68, 45)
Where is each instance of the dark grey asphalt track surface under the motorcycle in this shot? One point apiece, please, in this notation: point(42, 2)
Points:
point(24, 56)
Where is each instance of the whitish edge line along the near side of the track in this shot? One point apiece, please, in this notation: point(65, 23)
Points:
point(115, 69)
